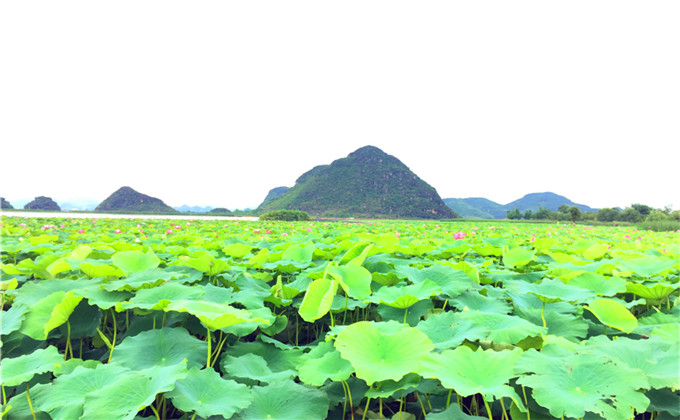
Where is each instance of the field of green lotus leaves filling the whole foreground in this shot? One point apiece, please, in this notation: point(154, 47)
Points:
point(162, 319)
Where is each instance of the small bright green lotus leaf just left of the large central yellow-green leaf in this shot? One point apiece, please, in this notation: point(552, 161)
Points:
point(322, 363)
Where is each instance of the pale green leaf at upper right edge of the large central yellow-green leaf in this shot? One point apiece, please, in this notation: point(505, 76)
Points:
point(446, 330)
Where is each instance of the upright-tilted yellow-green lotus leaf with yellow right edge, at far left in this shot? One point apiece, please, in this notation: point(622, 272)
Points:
point(48, 313)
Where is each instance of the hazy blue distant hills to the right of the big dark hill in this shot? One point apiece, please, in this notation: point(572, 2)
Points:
point(482, 208)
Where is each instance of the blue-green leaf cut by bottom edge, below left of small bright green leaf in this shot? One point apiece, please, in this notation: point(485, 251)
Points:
point(286, 400)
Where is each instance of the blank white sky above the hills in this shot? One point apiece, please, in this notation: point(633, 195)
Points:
point(214, 103)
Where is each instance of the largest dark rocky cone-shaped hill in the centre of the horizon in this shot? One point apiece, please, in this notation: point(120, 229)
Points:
point(366, 183)
